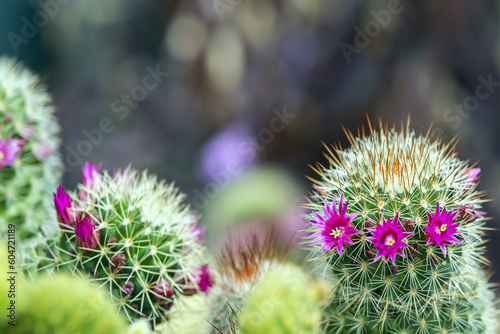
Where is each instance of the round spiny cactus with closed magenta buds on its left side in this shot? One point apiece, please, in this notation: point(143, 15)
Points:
point(133, 235)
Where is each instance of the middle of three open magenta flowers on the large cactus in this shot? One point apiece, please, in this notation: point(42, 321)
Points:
point(389, 238)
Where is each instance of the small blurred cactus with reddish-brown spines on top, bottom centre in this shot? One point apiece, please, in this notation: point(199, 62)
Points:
point(240, 266)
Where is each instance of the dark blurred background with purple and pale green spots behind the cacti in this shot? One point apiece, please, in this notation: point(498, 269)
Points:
point(232, 98)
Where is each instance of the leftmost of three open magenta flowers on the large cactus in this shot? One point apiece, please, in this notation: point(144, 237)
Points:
point(336, 228)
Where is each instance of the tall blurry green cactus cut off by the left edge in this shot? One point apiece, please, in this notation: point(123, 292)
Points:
point(30, 166)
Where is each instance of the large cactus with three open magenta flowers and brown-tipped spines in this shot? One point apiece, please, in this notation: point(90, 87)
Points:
point(398, 230)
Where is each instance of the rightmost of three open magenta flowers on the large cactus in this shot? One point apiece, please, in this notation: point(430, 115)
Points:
point(441, 229)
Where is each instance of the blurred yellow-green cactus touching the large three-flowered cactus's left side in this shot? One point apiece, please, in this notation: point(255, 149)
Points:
point(285, 302)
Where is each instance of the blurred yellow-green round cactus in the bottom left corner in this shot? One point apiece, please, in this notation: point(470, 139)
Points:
point(63, 305)
